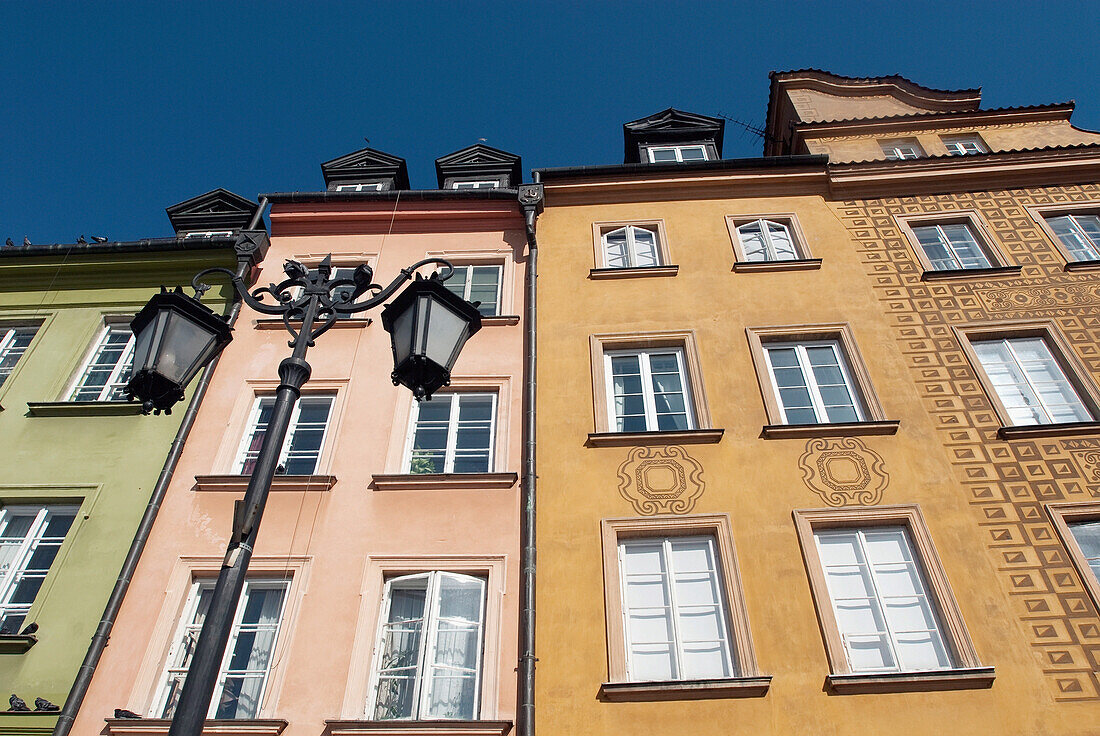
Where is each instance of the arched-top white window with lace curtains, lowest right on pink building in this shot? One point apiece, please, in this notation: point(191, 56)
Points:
point(431, 643)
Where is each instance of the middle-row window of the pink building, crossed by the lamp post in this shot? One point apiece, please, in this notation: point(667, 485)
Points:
point(305, 440)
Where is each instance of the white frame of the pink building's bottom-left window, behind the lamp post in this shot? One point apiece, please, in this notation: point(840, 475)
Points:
point(186, 622)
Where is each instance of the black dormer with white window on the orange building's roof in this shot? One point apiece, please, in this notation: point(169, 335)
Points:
point(673, 131)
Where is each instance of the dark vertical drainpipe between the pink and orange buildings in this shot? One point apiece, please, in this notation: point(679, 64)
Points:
point(531, 202)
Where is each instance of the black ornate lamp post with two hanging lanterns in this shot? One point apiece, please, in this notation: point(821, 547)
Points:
point(175, 336)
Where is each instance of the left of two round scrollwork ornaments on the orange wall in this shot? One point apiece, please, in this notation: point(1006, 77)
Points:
point(662, 480)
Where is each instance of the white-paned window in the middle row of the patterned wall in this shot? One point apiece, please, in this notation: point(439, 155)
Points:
point(1029, 381)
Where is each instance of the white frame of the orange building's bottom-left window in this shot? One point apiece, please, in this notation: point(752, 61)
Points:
point(722, 599)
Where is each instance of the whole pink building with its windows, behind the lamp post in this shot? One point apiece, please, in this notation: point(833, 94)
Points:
point(384, 592)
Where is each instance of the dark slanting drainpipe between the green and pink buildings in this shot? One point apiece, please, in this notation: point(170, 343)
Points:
point(249, 241)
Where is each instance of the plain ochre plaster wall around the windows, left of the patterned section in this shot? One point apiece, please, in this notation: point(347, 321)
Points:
point(757, 481)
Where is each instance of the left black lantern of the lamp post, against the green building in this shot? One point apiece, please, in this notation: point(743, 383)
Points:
point(174, 337)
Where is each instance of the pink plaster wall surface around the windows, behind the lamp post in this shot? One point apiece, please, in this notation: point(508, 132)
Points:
point(338, 543)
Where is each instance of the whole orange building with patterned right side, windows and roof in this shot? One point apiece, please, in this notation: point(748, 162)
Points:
point(821, 456)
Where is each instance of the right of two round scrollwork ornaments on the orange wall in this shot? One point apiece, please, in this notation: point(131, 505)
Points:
point(844, 471)
